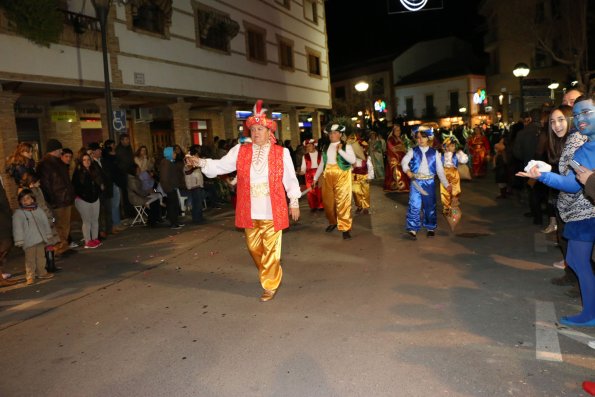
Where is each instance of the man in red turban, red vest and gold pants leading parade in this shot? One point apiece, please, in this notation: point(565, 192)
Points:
point(265, 178)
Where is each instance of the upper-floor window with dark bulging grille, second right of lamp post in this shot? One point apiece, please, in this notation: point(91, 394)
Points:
point(214, 29)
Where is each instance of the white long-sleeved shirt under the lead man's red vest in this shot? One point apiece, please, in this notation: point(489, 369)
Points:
point(260, 198)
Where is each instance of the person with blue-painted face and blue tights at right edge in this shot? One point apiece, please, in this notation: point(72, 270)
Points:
point(580, 233)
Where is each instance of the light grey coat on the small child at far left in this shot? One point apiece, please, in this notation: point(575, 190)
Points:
point(30, 228)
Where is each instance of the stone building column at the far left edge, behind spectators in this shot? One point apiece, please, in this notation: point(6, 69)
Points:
point(8, 134)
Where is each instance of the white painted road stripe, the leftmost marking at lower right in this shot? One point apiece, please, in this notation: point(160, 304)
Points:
point(547, 345)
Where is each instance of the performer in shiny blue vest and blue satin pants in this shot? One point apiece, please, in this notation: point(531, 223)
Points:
point(421, 164)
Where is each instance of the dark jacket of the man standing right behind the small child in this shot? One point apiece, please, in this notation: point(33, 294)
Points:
point(55, 182)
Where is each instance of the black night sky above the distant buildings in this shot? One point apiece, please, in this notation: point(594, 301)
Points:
point(362, 30)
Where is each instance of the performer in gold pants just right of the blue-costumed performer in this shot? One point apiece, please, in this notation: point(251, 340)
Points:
point(451, 158)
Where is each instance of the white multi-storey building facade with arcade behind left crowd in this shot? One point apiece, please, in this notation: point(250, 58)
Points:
point(181, 71)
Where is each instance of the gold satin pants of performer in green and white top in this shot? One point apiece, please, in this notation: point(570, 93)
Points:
point(336, 196)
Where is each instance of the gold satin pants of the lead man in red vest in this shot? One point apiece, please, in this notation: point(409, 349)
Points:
point(264, 244)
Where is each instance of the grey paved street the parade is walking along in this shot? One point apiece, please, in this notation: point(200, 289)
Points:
point(155, 312)
